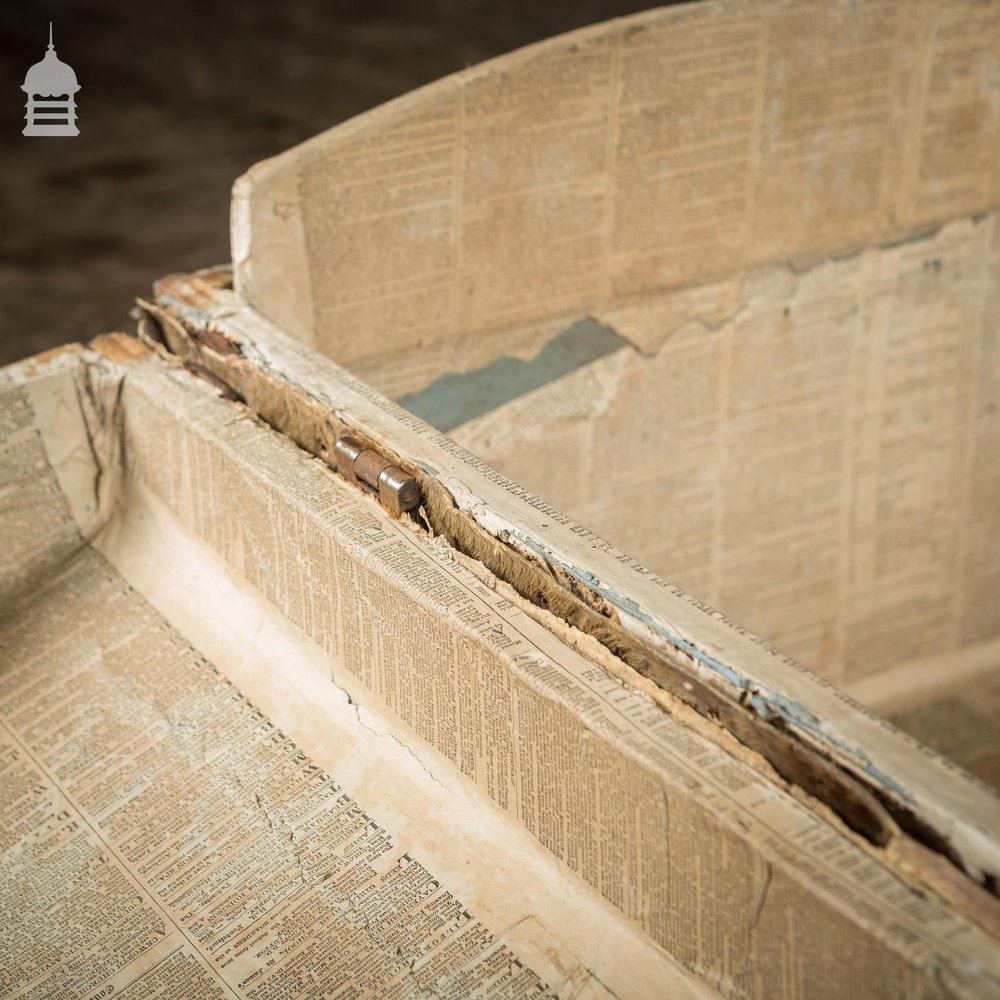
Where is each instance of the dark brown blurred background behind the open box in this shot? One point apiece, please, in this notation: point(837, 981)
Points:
point(178, 98)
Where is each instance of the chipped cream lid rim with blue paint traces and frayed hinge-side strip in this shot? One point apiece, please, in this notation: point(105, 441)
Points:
point(655, 631)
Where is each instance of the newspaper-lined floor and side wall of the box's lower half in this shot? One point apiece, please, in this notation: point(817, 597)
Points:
point(739, 881)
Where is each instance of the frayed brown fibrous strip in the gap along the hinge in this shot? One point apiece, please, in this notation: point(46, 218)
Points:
point(312, 426)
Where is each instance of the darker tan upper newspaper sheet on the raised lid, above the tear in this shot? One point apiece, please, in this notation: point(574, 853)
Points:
point(643, 156)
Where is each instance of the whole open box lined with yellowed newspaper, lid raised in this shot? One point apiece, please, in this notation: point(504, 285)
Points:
point(260, 739)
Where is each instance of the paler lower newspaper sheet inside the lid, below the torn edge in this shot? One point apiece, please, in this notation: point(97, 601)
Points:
point(819, 461)
